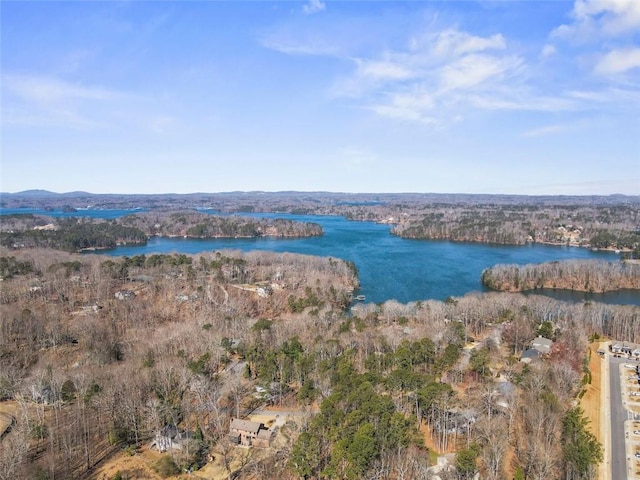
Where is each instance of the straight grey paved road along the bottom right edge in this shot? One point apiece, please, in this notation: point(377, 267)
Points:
point(618, 417)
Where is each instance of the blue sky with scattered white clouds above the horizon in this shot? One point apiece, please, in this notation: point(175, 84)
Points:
point(518, 97)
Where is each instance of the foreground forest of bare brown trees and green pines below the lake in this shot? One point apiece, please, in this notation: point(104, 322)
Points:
point(372, 392)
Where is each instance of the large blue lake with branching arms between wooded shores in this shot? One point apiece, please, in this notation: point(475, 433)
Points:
point(389, 267)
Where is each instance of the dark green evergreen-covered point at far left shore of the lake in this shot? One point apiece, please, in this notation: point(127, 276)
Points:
point(74, 235)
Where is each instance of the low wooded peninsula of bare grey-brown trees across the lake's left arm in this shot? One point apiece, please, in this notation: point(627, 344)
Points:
point(202, 225)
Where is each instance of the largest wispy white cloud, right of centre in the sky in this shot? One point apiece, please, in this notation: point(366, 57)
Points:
point(436, 79)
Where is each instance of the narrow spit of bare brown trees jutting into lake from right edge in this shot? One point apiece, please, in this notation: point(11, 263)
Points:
point(581, 275)
